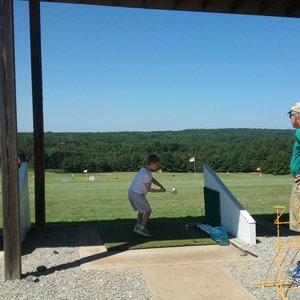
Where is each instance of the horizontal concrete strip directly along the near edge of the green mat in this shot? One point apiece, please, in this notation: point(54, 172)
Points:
point(164, 256)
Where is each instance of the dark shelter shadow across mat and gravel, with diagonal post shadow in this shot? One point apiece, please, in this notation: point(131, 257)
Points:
point(118, 234)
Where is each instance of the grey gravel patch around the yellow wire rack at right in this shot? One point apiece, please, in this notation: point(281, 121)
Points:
point(250, 272)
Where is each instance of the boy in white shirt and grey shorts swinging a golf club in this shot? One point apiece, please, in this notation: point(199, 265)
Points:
point(138, 190)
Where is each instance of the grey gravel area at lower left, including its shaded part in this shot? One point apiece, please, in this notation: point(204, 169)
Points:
point(55, 254)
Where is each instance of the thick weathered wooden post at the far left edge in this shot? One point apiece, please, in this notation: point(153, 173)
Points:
point(8, 121)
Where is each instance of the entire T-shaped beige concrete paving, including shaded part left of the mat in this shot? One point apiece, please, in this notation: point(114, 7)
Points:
point(172, 273)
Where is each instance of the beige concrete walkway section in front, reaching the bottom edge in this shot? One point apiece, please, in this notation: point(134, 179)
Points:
point(198, 281)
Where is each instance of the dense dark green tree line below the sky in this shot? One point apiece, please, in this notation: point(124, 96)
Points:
point(226, 150)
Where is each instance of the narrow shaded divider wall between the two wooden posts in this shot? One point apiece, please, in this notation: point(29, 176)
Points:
point(24, 201)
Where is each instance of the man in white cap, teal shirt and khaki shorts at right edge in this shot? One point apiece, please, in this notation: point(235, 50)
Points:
point(294, 115)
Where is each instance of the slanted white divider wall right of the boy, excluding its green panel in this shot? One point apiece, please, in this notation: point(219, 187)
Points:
point(234, 218)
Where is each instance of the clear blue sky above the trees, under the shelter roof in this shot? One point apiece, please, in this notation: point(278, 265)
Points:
point(114, 69)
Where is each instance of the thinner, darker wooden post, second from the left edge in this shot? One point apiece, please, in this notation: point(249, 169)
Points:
point(38, 118)
